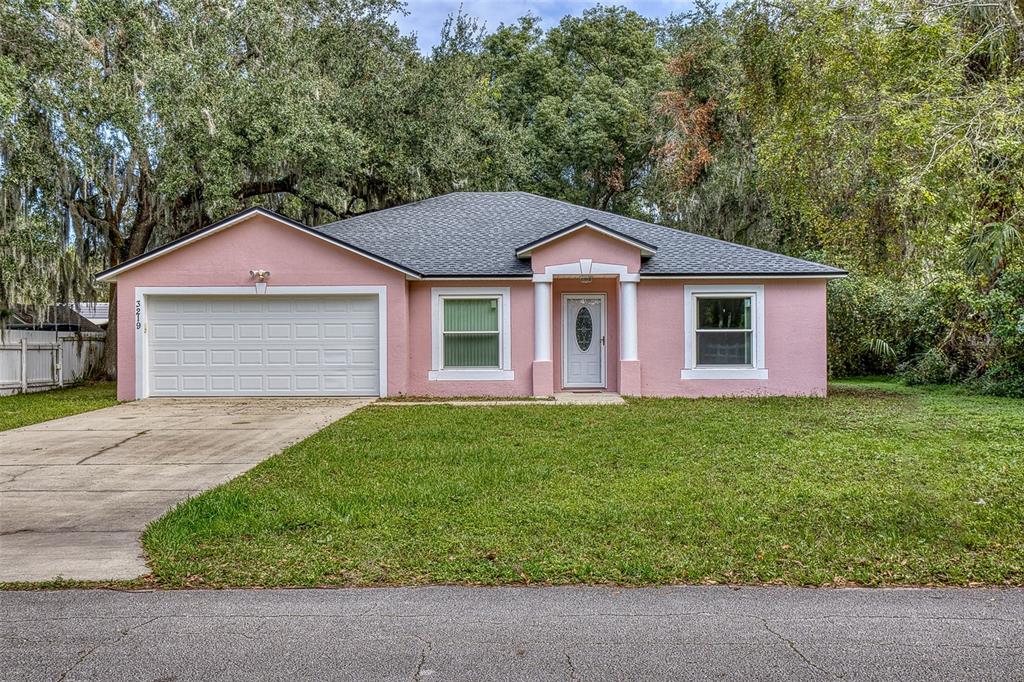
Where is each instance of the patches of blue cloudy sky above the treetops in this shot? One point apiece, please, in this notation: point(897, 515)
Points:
point(425, 18)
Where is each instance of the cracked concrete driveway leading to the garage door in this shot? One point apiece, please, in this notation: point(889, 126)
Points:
point(76, 493)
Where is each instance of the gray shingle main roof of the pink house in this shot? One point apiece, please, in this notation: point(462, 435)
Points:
point(478, 234)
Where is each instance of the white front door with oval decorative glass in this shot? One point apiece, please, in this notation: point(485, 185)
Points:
point(583, 342)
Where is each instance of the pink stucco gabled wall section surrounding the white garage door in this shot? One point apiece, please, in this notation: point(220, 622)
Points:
point(294, 259)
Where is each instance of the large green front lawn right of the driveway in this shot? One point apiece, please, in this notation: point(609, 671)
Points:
point(871, 486)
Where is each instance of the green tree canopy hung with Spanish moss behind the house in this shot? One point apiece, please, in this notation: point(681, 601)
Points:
point(886, 138)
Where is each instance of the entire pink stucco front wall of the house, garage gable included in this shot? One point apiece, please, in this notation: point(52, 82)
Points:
point(795, 311)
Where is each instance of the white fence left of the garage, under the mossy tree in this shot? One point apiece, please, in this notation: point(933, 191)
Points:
point(37, 361)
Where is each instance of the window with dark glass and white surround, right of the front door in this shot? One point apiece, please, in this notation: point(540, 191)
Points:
point(724, 332)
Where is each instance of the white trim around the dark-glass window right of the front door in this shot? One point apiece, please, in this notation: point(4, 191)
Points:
point(691, 370)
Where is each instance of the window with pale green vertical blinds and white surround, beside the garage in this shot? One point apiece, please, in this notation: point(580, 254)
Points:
point(472, 338)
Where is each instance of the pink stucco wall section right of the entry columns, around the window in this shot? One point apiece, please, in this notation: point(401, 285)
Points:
point(795, 342)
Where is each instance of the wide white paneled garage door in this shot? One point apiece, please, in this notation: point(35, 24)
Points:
point(264, 346)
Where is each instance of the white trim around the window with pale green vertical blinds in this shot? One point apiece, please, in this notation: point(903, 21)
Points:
point(503, 373)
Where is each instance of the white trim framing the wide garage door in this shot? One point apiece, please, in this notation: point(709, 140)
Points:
point(142, 340)
